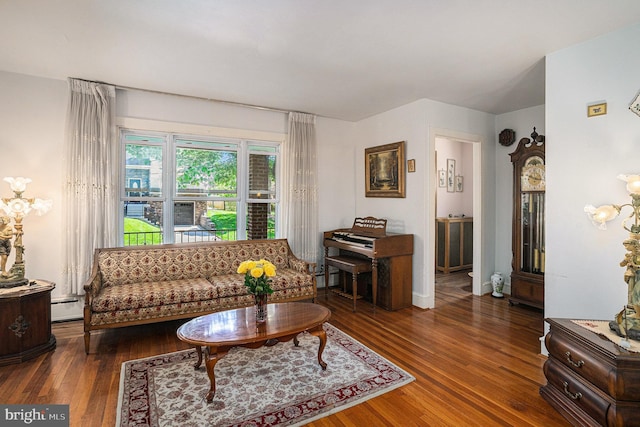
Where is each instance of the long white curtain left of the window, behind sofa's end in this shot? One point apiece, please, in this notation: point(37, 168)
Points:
point(90, 188)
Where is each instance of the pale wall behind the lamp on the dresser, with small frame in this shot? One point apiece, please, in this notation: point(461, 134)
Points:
point(584, 156)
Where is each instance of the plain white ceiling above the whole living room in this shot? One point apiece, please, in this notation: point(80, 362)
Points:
point(346, 59)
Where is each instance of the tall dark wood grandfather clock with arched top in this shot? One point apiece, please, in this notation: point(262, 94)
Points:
point(527, 276)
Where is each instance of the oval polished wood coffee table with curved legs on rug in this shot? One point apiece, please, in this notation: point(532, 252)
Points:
point(221, 331)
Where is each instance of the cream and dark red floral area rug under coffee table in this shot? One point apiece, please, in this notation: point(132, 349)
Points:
point(282, 385)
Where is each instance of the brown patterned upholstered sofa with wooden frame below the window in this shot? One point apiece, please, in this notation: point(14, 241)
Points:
point(145, 284)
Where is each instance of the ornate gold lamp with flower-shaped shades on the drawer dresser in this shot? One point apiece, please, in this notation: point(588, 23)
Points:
point(627, 321)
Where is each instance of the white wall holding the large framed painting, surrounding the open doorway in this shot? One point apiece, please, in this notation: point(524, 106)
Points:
point(417, 123)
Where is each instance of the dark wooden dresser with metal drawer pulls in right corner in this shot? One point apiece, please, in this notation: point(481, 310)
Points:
point(590, 380)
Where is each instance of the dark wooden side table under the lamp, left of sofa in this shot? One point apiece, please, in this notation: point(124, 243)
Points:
point(25, 322)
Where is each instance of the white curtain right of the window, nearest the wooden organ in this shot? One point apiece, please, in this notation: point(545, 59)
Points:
point(301, 187)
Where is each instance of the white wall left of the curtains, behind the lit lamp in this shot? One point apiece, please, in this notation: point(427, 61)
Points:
point(32, 122)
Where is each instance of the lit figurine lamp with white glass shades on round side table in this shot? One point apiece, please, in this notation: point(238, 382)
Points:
point(16, 208)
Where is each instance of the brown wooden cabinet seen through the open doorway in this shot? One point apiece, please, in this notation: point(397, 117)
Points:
point(454, 243)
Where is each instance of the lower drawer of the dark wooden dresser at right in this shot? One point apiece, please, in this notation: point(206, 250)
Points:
point(577, 392)
